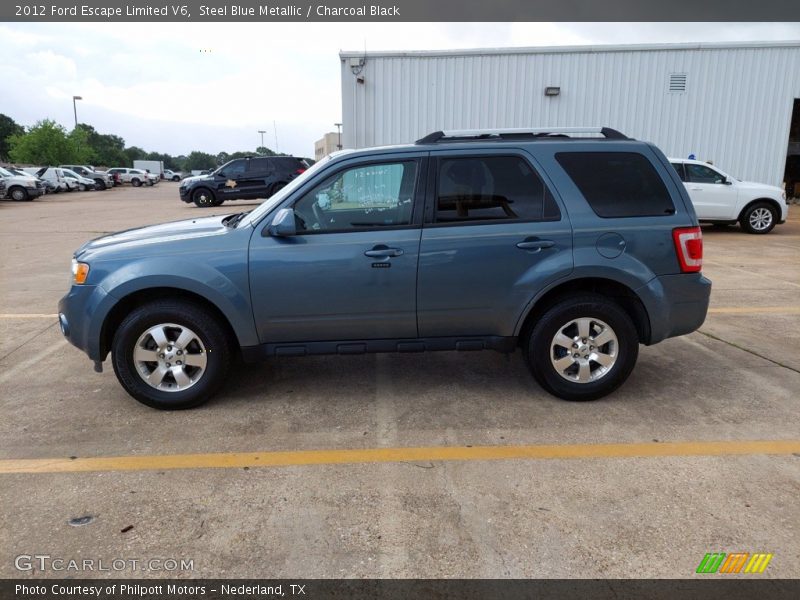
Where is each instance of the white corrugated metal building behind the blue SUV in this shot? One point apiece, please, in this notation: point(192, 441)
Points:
point(731, 103)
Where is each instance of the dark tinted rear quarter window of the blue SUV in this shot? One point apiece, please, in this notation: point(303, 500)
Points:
point(618, 184)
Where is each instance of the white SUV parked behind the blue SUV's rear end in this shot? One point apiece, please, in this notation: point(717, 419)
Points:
point(722, 199)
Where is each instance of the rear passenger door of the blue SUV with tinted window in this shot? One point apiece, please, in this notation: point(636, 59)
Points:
point(494, 236)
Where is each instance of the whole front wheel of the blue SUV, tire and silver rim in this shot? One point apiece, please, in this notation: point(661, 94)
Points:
point(171, 355)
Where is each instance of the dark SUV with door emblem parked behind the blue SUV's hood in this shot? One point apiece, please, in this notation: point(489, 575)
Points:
point(242, 179)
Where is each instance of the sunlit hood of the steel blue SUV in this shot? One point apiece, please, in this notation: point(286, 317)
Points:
point(143, 237)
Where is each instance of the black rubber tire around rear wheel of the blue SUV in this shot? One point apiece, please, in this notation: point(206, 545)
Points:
point(540, 350)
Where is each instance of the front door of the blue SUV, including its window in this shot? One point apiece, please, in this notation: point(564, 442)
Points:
point(350, 272)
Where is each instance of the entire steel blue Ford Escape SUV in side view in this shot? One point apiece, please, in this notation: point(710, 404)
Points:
point(576, 249)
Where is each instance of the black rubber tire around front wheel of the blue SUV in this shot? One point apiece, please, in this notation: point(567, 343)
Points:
point(199, 321)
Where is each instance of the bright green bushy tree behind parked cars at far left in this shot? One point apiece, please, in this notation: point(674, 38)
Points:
point(47, 143)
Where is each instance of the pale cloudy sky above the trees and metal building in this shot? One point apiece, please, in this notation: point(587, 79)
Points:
point(179, 87)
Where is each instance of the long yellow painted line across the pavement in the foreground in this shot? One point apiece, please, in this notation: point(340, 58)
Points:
point(235, 460)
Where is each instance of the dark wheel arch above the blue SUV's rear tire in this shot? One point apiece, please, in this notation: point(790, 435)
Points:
point(626, 297)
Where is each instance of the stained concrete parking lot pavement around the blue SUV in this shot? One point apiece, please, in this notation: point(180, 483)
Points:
point(419, 465)
